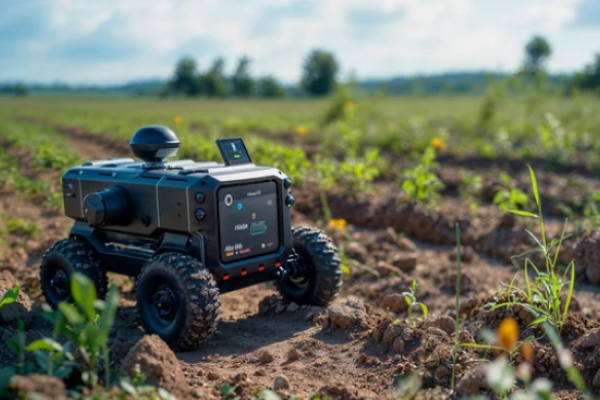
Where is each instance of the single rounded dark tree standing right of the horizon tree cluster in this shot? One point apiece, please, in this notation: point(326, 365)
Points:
point(320, 71)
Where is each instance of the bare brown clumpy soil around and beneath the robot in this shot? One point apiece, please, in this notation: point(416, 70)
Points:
point(351, 350)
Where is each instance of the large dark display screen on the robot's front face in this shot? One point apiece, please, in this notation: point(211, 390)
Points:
point(248, 221)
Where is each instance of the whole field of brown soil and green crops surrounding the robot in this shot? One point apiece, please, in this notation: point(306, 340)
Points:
point(390, 179)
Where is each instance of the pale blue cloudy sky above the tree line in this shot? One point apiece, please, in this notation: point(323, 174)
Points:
point(115, 41)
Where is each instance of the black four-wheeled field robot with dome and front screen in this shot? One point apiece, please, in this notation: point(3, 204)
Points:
point(186, 231)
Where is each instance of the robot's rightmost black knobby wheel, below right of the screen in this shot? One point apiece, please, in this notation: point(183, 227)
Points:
point(322, 278)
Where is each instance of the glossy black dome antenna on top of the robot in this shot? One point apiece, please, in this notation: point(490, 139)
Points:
point(153, 144)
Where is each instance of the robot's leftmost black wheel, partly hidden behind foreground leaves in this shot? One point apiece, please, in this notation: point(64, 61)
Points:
point(61, 261)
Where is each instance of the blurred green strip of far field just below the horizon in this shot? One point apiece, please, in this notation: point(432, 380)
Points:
point(487, 126)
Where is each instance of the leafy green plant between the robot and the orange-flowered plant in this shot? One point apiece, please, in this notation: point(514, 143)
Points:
point(358, 173)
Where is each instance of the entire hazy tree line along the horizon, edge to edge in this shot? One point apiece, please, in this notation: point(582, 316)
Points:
point(320, 77)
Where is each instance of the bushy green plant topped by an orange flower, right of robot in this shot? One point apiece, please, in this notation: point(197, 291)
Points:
point(421, 183)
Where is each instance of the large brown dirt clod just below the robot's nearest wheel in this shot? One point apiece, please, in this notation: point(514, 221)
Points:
point(158, 363)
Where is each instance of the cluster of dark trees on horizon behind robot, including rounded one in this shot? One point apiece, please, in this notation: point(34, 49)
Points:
point(319, 79)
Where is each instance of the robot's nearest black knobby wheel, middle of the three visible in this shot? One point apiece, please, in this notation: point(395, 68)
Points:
point(178, 299)
